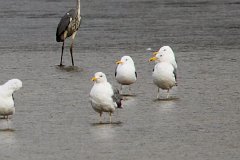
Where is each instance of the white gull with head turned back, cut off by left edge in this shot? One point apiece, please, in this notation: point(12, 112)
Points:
point(6, 97)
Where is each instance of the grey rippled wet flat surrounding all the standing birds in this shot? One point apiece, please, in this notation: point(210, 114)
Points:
point(54, 119)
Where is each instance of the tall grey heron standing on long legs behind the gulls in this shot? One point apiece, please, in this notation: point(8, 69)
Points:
point(68, 27)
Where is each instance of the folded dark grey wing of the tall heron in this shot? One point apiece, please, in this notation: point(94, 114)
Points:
point(63, 24)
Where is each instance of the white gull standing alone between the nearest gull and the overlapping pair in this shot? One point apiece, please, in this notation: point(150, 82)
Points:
point(125, 72)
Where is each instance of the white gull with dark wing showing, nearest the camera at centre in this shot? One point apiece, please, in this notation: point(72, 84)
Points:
point(103, 97)
